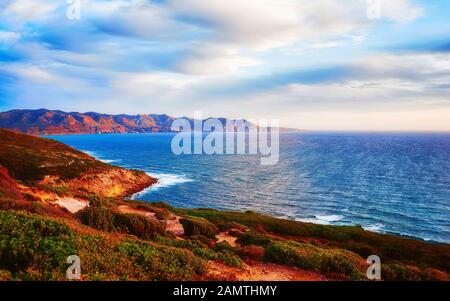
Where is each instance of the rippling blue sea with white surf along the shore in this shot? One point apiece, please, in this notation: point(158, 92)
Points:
point(387, 182)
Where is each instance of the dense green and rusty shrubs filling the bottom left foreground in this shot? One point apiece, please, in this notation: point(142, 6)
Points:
point(36, 248)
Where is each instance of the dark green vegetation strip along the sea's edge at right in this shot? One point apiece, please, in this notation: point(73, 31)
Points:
point(390, 248)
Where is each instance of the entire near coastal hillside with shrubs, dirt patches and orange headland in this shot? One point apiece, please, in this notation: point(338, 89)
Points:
point(56, 201)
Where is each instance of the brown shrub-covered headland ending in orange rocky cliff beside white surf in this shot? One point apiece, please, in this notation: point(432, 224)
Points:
point(37, 161)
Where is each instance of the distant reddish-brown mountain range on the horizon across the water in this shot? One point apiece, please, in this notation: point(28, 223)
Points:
point(51, 122)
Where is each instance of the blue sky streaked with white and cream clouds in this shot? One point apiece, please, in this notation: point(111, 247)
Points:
point(318, 65)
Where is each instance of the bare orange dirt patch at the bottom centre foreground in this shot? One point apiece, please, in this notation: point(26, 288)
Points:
point(262, 272)
